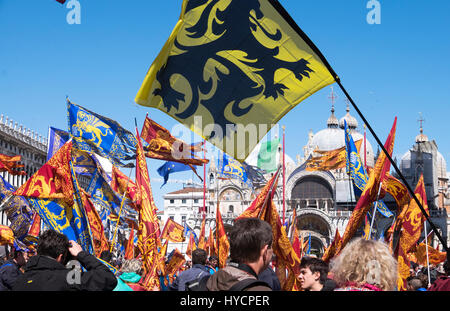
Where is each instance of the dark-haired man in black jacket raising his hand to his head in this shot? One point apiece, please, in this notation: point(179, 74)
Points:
point(47, 271)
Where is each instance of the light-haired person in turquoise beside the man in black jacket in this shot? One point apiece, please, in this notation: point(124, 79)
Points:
point(130, 275)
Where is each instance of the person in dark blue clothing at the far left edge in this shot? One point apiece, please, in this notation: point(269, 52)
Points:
point(11, 270)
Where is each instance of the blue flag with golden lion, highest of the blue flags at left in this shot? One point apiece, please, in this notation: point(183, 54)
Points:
point(95, 133)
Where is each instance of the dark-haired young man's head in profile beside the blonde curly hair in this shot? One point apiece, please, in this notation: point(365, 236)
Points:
point(313, 273)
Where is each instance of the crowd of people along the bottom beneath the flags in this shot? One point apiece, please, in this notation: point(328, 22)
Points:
point(363, 265)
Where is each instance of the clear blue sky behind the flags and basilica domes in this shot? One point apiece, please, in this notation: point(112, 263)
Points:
point(397, 68)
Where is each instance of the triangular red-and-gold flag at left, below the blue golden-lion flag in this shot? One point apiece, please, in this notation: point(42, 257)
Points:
point(53, 180)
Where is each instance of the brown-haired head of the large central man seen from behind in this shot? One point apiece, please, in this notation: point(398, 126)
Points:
point(251, 242)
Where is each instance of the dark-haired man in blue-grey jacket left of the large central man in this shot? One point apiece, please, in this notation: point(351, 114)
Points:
point(197, 271)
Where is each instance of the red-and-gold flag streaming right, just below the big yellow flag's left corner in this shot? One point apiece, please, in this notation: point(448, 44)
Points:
point(164, 146)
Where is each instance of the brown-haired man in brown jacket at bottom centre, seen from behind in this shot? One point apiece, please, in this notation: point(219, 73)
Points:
point(250, 254)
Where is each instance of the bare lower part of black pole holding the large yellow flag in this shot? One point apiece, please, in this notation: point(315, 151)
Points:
point(394, 165)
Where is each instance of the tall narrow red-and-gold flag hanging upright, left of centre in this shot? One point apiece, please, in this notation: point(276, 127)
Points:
point(148, 231)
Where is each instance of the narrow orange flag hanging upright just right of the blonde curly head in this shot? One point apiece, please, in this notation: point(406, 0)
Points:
point(411, 228)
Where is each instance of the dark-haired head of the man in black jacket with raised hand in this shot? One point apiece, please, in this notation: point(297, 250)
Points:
point(53, 244)
